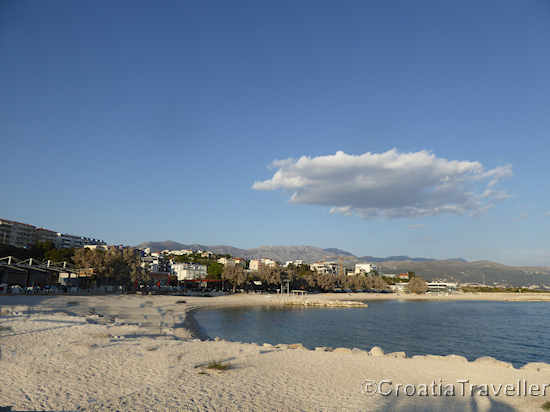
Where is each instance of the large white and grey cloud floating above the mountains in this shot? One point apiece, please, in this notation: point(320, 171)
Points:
point(389, 184)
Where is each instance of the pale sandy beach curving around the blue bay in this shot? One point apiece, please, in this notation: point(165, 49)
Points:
point(141, 355)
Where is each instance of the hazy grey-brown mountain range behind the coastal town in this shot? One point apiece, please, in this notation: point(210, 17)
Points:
point(457, 269)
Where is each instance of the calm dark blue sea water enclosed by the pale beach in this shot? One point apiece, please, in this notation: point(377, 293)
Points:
point(516, 332)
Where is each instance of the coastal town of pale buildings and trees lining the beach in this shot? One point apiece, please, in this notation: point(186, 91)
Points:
point(78, 264)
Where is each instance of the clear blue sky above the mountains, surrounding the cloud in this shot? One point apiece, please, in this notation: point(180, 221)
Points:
point(135, 121)
